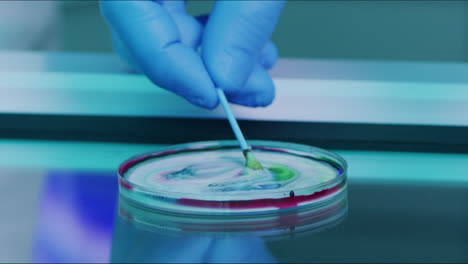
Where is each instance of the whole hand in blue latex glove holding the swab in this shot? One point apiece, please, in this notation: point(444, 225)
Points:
point(160, 39)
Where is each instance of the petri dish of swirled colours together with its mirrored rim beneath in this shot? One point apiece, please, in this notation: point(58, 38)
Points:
point(205, 187)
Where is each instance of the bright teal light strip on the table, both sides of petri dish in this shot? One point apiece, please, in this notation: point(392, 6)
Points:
point(364, 166)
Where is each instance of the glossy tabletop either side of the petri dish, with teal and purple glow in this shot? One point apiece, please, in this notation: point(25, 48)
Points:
point(59, 201)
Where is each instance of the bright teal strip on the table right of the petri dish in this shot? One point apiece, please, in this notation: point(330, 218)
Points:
point(406, 167)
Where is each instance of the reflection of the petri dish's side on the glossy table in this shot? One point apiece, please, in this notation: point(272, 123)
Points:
point(214, 225)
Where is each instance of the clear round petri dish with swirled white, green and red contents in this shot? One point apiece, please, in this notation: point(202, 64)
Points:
point(209, 178)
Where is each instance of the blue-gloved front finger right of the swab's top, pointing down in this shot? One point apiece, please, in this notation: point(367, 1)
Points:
point(234, 37)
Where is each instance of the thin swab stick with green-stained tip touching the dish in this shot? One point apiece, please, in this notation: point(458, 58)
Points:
point(250, 161)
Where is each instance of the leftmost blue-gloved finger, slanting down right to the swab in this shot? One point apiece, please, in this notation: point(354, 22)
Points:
point(153, 39)
